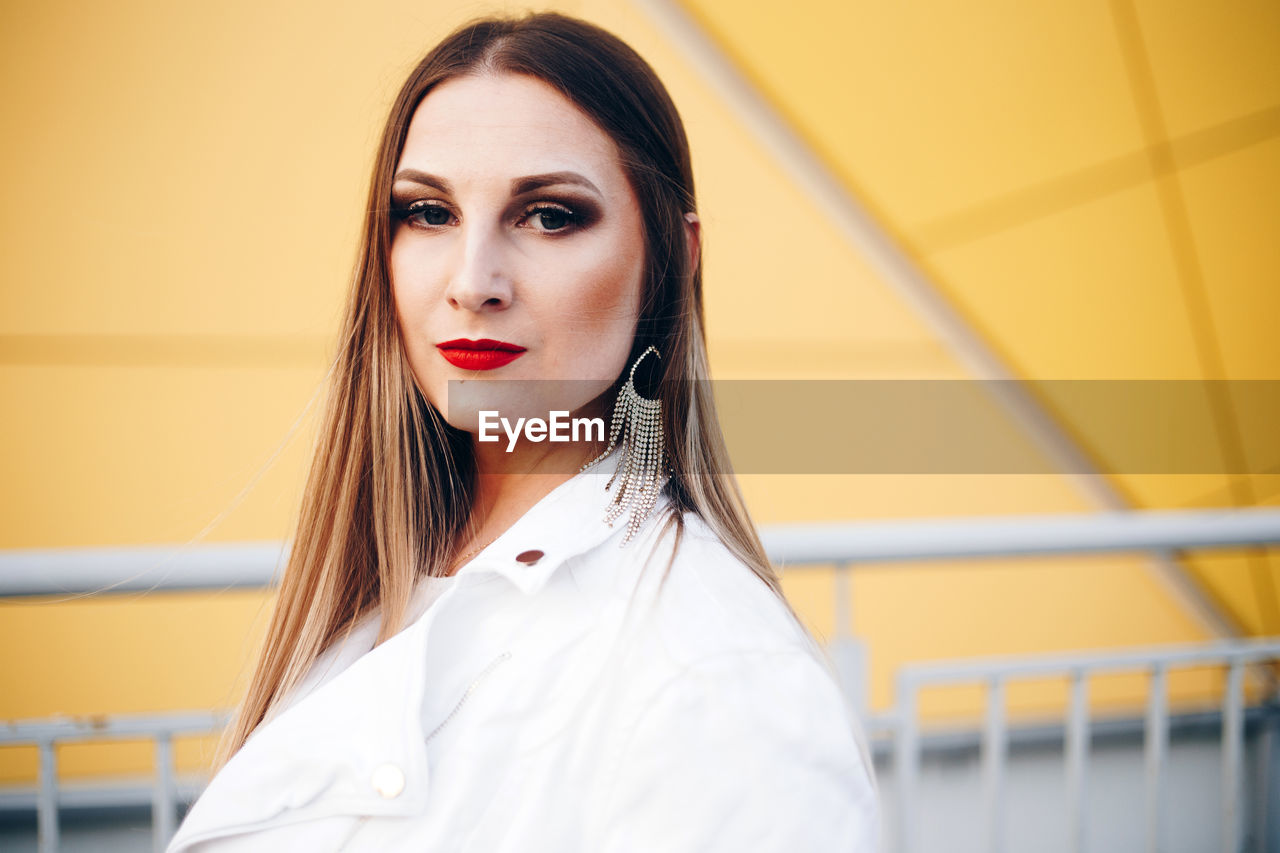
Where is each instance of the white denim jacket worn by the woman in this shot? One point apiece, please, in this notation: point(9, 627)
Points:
point(559, 704)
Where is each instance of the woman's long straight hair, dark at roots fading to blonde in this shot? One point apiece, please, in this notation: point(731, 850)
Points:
point(391, 482)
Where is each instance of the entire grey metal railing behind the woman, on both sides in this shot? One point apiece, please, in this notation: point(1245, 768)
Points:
point(74, 572)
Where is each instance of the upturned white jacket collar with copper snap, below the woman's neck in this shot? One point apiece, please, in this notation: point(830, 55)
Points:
point(564, 524)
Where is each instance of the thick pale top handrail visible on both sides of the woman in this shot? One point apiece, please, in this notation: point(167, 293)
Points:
point(254, 565)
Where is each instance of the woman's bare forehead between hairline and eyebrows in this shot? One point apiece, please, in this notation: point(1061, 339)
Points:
point(506, 126)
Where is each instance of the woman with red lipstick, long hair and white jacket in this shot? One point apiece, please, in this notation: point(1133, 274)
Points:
point(468, 654)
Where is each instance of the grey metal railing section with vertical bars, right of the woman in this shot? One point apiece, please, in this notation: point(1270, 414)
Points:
point(844, 546)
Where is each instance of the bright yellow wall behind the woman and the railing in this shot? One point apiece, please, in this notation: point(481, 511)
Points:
point(182, 195)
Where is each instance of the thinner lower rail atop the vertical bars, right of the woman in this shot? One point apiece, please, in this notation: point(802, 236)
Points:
point(1250, 651)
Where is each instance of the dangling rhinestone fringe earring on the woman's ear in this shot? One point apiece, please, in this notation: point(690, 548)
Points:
point(642, 459)
